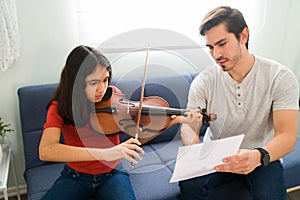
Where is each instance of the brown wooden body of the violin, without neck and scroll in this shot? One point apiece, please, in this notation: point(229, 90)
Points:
point(119, 114)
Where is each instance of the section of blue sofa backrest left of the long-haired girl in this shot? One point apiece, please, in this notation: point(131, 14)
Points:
point(32, 106)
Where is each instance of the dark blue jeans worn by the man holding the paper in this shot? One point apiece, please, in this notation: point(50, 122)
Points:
point(265, 183)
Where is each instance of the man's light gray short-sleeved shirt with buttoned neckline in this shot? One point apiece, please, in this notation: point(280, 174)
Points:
point(245, 108)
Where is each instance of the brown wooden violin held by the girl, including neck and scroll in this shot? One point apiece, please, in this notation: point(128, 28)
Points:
point(117, 114)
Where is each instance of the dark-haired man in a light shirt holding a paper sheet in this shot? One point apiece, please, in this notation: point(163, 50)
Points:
point(251, 95)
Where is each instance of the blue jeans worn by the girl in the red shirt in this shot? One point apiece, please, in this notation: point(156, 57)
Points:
point(114, 185)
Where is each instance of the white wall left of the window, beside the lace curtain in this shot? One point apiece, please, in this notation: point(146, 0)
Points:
point(48, 31)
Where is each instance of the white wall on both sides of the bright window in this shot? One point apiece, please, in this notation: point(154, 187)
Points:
point(48, 32)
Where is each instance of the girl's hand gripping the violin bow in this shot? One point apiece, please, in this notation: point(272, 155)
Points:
point(128, 150)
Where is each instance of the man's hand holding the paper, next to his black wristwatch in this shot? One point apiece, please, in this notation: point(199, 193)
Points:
point(244, 162)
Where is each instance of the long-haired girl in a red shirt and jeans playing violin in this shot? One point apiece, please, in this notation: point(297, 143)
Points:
point(92, 160)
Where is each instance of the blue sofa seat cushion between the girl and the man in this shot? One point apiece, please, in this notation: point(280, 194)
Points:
point(158, 164)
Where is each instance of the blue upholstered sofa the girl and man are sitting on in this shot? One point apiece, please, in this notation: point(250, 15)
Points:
point(150, 177)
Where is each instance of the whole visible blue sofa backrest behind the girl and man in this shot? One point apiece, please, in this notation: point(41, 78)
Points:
point(33, 100)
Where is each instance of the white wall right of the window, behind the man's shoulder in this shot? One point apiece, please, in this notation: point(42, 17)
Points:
point(279, 37)
